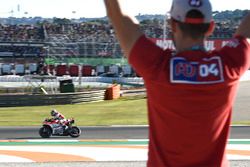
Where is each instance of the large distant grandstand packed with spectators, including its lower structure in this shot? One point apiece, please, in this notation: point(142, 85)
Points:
point(86, 44)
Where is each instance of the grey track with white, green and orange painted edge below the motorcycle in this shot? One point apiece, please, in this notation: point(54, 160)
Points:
point(107, 145)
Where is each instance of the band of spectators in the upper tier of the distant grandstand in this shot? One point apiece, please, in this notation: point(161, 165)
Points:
point(95, 32)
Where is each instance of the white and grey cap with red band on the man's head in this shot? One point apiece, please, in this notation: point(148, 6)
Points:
point(180, 9)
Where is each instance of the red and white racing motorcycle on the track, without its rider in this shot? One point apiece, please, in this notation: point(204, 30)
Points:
point(51, 127)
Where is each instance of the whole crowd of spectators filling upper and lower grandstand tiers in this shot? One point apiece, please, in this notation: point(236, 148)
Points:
point(95, 38)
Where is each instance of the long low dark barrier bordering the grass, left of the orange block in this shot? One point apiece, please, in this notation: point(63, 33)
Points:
point(51, 99)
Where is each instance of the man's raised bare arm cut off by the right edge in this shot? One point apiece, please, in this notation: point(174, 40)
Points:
point(244, 28)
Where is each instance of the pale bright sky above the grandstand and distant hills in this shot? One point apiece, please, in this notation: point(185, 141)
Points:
point(95, 8)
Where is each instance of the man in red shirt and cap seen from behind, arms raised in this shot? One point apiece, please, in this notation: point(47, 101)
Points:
point(190, 91)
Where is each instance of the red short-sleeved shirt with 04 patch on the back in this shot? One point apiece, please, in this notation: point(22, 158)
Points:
point(190, 98)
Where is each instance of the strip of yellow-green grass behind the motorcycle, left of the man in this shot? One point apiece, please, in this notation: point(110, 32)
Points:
point(124, 111)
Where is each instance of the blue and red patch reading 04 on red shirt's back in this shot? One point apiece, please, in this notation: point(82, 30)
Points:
point(206, 71)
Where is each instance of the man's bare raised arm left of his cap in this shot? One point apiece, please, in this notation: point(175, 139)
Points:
point(127, 29)
